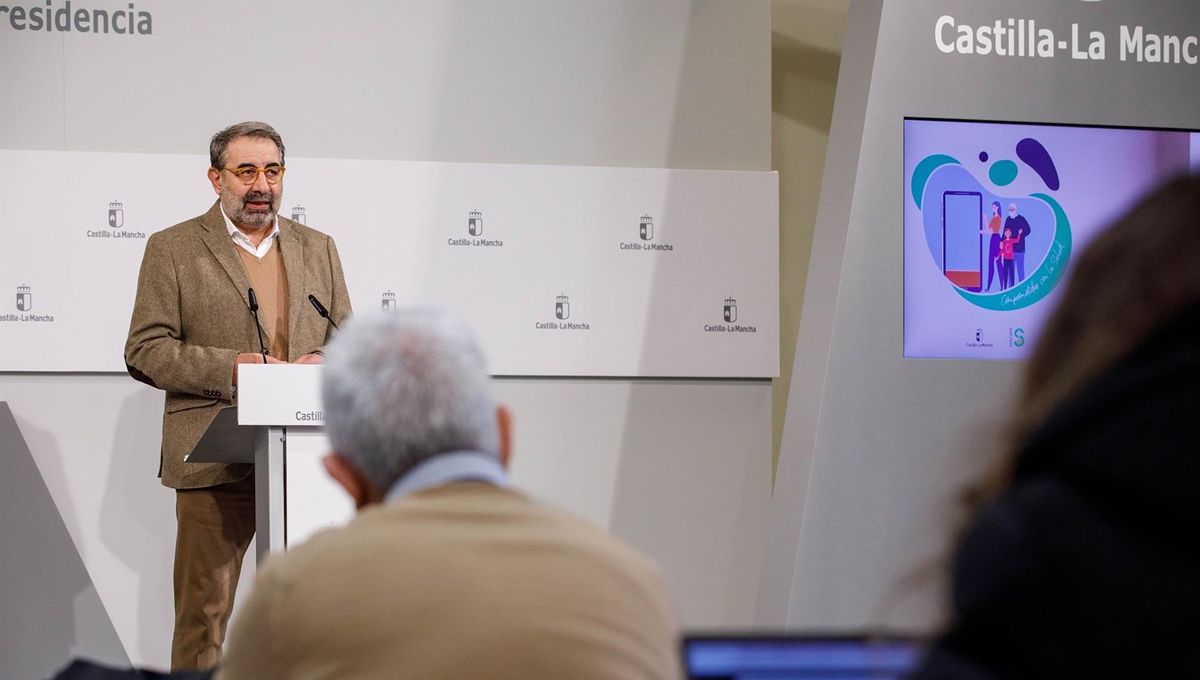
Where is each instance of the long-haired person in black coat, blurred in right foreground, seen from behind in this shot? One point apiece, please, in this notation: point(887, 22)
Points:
point(1083, 561)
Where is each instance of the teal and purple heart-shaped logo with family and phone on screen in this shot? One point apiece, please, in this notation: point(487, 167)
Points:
point(998, 251)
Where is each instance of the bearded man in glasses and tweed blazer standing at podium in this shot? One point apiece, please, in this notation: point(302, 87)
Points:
point(226, 288)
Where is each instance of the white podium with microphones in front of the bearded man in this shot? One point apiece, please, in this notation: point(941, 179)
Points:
point(278, 425)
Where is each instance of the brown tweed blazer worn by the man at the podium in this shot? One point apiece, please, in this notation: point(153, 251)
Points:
point(191, 320)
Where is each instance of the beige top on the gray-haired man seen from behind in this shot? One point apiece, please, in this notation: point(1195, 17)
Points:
point(460, 581)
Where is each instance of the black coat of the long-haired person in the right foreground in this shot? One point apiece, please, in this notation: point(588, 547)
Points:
point(1089, 565)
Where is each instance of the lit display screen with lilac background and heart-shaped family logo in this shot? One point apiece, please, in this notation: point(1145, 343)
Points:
point(997, 212)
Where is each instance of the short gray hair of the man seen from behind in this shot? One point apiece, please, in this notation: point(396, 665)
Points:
point(404, 387)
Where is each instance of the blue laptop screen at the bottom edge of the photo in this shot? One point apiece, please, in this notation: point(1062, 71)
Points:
point(800, 658)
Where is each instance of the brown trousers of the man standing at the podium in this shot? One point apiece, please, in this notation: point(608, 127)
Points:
point(214, 528)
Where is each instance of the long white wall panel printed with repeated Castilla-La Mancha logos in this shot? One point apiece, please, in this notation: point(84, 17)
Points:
point(565, 272)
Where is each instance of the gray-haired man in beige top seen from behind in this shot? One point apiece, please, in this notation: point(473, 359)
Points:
point(448, 571)
